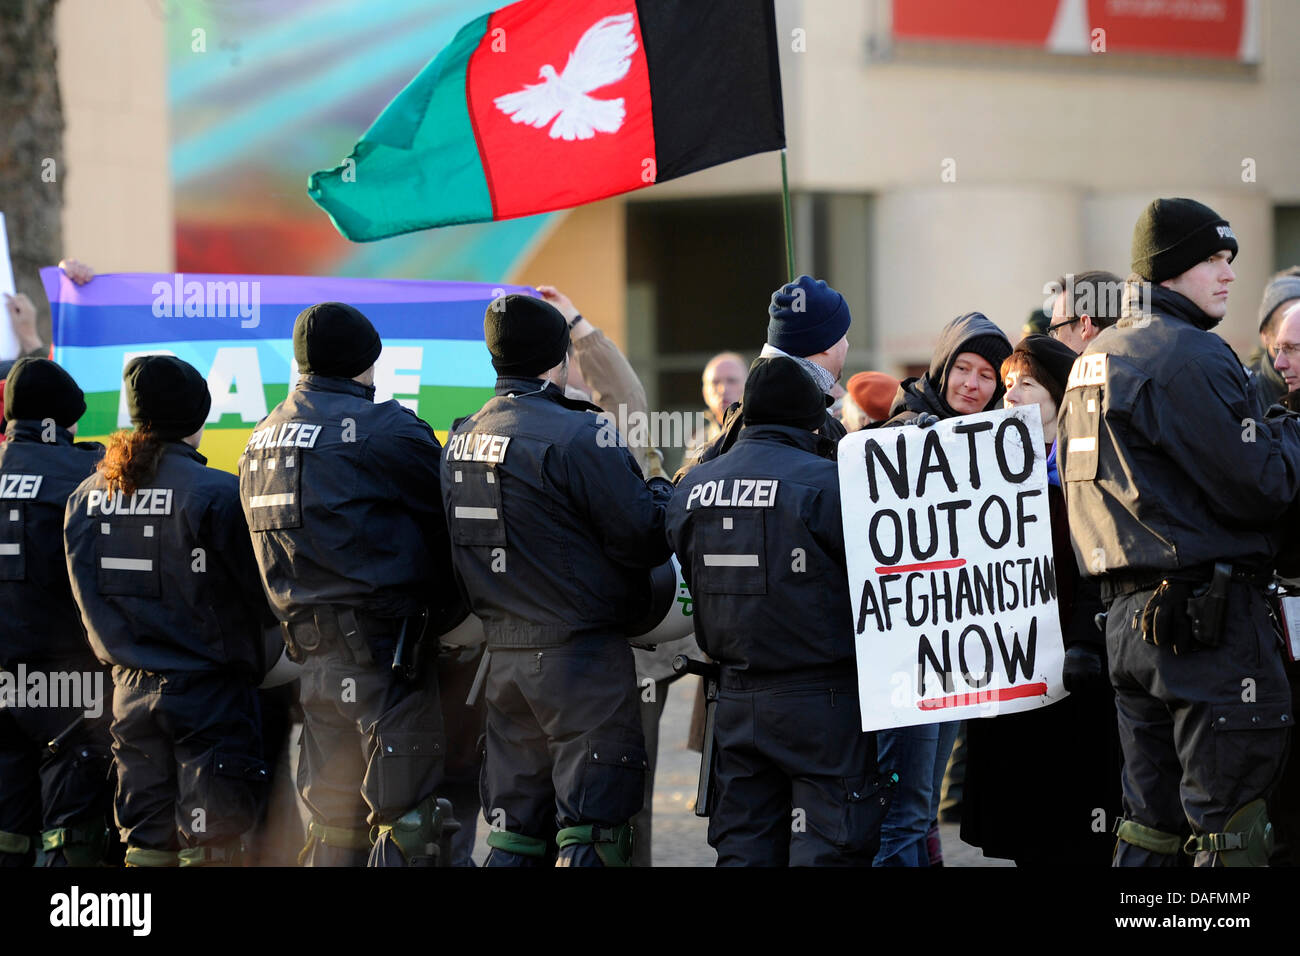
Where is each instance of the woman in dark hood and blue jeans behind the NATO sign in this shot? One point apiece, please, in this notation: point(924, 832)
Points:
point(963, 380)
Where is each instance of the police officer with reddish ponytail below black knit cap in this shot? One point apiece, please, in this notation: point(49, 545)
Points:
point(164, 576)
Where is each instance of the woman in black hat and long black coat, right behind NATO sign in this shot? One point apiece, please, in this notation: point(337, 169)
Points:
point(1043, 786)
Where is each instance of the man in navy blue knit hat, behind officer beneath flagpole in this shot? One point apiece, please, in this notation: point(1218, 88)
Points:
point(808, 322)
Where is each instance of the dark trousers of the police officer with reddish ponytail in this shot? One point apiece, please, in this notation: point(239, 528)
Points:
point(189, 759)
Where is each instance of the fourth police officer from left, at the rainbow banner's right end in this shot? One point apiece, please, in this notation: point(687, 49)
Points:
point(553, 533)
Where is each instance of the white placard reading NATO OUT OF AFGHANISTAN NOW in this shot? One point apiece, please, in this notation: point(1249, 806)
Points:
point(951, 569)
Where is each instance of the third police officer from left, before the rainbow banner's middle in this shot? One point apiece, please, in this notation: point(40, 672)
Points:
point(343, 500)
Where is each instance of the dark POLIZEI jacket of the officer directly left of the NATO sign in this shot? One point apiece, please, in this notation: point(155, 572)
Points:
point(761, 546)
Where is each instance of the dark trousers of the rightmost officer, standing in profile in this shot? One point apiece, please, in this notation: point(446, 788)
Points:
point(1206, 732)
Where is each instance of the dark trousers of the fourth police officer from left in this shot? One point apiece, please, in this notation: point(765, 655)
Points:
point(565, 745)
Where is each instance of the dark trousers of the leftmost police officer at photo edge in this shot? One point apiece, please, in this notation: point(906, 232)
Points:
point(71, 788)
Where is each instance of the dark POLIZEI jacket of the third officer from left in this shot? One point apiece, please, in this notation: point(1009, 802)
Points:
point(343, 500)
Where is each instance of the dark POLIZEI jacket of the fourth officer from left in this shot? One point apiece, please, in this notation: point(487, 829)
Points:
point(553, 526)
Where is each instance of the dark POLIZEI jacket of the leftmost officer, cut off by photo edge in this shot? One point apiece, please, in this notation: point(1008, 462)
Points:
point(37, 608)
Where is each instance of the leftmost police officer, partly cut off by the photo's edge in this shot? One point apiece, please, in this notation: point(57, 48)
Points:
point(55, 758)
